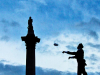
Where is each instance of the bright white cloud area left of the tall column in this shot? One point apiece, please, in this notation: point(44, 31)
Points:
point(12, 51)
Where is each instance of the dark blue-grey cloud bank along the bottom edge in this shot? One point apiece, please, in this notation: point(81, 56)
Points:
point(20, 70)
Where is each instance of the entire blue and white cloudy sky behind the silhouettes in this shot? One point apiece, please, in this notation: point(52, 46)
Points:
point(66, 22)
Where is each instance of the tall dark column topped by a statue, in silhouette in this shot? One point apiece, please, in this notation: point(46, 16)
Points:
point(30, 40)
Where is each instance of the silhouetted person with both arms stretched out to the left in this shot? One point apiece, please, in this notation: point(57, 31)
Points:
point(79, 55)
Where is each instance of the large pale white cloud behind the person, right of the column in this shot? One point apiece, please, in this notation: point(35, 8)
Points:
point(48, 52)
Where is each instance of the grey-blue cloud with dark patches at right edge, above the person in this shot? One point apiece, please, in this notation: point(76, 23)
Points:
point(89, 29)
